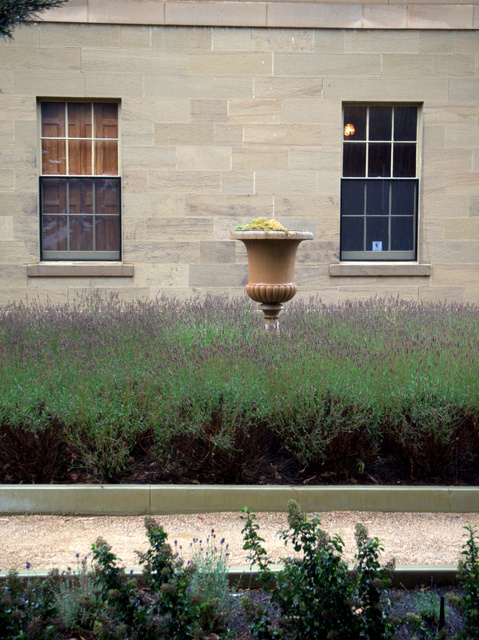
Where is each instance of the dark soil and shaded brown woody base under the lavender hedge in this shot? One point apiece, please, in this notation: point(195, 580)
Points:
point(42, 457)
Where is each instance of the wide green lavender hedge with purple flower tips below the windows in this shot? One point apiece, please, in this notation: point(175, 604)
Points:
point(338, 385)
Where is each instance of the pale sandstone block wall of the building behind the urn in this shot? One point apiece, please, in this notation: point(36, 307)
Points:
point(224, 118)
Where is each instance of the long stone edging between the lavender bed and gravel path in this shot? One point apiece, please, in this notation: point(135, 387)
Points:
point(184, 499)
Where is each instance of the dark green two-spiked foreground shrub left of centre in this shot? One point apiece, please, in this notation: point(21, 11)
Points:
point(169, 604)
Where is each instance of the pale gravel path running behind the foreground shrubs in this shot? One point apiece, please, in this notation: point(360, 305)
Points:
point(46, 542)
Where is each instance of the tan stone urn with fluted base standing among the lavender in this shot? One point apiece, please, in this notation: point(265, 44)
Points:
point(271, 260)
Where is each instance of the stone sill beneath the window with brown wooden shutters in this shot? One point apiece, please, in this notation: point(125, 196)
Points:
point(81, 270)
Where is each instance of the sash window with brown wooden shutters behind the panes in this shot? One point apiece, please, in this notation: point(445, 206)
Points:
point(79, 183)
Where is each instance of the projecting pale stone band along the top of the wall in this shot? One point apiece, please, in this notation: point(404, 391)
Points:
point(380, 14)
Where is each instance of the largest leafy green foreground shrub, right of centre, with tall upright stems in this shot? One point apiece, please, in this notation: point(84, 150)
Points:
point(315, 596)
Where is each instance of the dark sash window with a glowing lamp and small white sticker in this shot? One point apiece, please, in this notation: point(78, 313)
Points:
point(379, 187)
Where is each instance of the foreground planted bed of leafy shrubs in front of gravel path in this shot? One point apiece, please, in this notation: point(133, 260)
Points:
point(100, 600)
